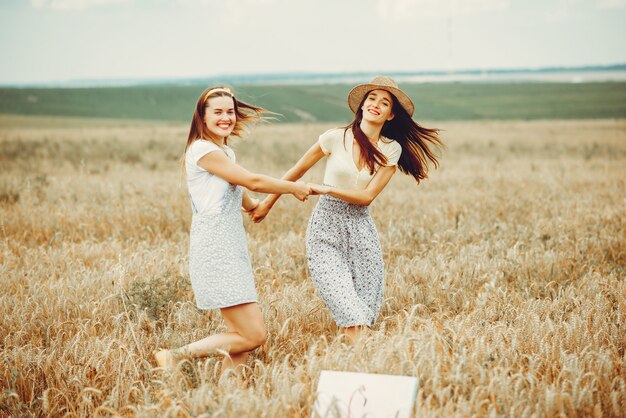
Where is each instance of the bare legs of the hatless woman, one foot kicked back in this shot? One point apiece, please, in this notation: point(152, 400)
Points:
point(246, 332)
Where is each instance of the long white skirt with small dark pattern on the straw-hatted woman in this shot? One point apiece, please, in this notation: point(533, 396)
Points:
point(345, 261)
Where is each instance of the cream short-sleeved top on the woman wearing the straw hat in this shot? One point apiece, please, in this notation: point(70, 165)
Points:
point(341, 171)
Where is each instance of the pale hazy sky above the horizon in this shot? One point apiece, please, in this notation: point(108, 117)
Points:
point(67, 40)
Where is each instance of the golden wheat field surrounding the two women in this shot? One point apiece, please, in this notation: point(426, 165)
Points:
point(505, 291)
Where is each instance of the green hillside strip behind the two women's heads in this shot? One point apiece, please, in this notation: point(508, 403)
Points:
point(327, 103)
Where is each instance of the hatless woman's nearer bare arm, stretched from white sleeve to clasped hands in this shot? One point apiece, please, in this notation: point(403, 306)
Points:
point(220, 165)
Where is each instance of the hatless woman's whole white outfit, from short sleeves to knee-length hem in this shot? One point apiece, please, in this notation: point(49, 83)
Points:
point(219, 263)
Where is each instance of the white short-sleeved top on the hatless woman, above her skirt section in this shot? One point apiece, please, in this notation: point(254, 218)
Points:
point(206, 189)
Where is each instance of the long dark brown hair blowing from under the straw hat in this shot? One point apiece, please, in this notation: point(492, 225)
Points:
point(414, 139)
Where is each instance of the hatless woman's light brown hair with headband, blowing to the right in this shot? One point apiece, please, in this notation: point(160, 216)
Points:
point(245, 113)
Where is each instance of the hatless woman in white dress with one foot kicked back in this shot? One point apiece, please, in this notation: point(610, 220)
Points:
point(219, 264)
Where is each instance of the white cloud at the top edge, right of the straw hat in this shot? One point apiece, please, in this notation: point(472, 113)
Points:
point(404, 10)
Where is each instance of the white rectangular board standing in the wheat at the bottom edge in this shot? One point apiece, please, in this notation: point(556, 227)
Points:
point(354, 395)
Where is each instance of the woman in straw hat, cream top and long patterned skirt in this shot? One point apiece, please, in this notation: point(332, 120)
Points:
point(343, 247)
